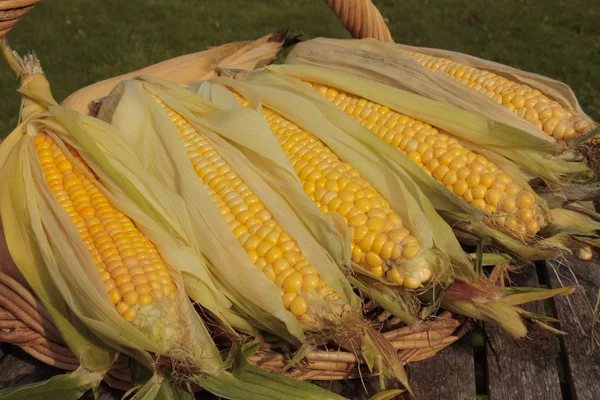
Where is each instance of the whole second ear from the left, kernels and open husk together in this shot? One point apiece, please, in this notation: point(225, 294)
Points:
point(286, 284)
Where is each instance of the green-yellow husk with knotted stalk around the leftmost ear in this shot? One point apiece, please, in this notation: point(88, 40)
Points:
point(47, 250)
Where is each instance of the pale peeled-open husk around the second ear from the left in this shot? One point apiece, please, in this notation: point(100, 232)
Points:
point(133, 110)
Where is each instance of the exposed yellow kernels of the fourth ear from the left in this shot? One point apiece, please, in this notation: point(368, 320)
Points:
point(468, 175)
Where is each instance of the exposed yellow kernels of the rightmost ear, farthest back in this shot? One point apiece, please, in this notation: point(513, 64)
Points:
point(525, 101)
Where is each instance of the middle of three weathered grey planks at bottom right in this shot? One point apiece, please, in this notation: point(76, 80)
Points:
point(521, 369)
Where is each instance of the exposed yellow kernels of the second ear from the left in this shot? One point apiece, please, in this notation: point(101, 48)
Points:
point(269, 248)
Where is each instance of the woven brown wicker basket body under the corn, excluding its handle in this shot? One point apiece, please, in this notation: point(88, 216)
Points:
point(25, 323)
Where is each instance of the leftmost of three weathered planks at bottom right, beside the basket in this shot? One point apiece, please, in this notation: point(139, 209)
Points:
point(450, 374)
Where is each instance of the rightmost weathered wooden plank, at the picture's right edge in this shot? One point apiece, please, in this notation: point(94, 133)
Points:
point(575, 314)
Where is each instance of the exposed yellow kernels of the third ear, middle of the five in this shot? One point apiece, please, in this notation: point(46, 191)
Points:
point(379, 242)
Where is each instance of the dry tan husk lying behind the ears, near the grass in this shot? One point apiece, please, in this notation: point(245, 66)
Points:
point(232, 58)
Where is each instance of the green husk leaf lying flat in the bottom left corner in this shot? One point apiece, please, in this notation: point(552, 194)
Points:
point(60, 387)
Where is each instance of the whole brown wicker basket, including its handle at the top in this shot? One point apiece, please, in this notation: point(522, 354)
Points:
point(25, 323)
